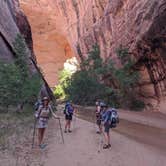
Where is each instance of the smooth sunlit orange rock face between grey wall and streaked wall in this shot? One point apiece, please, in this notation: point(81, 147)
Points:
point(51, 46)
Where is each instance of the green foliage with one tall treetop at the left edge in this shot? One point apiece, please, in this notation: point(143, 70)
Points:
point(17, 85)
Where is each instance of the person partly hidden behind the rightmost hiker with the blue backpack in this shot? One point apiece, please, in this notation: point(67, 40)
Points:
point(99, 116)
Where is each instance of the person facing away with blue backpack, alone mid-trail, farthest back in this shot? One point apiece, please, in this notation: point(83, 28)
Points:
point(69, 110)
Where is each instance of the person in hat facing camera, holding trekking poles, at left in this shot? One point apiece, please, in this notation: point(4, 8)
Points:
point(42, 114)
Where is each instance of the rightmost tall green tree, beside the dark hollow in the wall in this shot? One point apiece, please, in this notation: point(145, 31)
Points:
point(128, 79)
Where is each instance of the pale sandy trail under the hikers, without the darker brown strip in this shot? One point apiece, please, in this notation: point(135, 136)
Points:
point(81, 148)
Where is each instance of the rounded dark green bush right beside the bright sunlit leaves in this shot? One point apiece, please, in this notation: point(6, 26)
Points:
point(84, 89)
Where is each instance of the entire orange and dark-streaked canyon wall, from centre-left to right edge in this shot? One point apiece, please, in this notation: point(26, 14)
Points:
point(138, 25)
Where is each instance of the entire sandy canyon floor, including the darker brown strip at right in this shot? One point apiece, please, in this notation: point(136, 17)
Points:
point(139, 140)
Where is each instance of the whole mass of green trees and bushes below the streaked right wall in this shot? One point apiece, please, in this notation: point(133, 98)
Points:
point(104, 80)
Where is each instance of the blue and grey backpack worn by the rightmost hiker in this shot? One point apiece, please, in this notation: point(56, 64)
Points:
point(114, 118)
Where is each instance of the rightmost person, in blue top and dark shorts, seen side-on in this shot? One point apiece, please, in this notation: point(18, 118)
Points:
point(106, 118)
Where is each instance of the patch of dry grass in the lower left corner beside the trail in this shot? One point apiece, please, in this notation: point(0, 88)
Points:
point(15, 137)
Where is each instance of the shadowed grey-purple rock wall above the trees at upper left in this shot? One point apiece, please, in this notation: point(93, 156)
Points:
point(12, 23)
